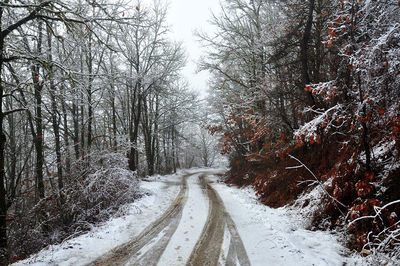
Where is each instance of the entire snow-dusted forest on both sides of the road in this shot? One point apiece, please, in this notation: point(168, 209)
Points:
point(303, 95)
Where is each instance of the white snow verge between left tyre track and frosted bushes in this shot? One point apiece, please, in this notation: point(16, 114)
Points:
point(135, 217)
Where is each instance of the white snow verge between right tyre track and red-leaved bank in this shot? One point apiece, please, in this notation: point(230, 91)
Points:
point(276, 236)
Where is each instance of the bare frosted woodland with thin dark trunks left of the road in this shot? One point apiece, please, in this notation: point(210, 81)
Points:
point(91, 98)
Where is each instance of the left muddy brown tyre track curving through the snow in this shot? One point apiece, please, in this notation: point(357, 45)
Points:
point(129, 253)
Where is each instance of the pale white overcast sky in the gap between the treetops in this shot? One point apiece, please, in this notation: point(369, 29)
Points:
point(186, 16)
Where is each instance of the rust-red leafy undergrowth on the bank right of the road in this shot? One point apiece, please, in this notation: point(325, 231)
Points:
point(353, 197)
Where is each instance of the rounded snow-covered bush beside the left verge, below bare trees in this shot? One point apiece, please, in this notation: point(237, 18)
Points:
point(106, 185)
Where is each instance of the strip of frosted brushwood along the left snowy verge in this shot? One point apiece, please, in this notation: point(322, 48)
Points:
point(98, 190)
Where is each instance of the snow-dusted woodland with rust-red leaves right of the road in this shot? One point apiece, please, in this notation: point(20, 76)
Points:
point(308, 94)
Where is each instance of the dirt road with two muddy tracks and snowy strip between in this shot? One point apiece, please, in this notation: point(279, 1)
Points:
point(218, 242)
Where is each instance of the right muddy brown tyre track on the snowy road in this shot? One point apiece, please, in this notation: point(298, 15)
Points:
point(208, 248)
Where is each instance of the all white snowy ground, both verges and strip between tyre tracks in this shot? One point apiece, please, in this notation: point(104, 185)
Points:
point(269, 236)
